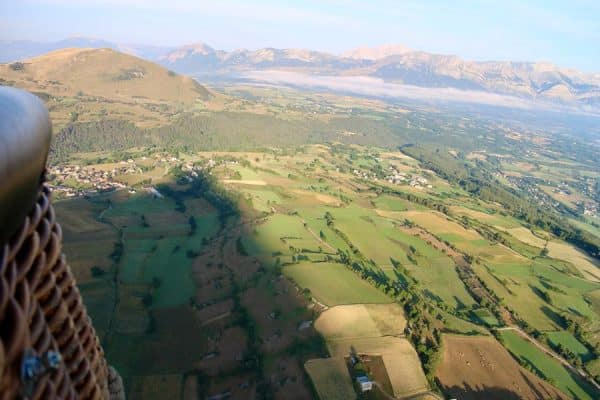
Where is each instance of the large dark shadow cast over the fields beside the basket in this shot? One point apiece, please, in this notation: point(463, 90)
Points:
point(237, 332)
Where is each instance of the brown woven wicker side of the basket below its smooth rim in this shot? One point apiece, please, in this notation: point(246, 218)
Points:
point(41, 310)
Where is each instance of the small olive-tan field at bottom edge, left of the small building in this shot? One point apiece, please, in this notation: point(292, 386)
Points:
point(331, 378)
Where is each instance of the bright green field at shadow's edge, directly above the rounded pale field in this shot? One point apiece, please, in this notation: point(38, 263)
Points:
point(334, 284)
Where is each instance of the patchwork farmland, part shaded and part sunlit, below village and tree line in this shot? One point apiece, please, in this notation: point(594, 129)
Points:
point(289, 275)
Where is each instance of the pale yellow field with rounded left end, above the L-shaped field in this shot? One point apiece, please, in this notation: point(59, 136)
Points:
point(361, 320)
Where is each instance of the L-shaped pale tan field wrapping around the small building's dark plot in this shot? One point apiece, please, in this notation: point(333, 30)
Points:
point(399, 357)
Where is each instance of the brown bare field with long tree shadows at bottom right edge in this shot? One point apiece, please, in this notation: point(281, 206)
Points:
point(474, 367)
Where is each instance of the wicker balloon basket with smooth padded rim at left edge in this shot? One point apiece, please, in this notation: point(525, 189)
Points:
point(48, 346)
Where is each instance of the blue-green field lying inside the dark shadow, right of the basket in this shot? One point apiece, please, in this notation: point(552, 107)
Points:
point(156, 253)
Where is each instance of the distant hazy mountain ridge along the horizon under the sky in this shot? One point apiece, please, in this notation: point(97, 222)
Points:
point(391, 63)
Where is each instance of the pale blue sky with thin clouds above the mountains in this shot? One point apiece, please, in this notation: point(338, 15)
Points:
point(566, 33)
